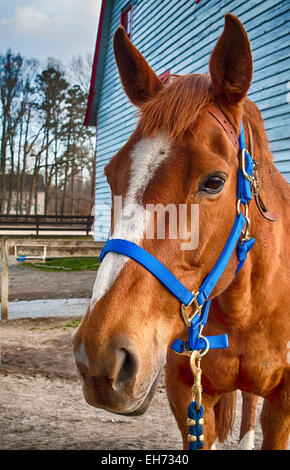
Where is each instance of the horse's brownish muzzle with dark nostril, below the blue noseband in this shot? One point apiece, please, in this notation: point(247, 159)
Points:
point(115, 381)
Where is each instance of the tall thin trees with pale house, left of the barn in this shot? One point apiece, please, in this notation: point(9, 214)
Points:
point(46, 152)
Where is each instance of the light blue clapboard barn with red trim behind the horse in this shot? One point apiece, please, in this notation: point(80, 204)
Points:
point(177, 37)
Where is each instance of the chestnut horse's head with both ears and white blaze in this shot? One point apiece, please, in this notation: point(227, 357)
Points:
point(179, 157)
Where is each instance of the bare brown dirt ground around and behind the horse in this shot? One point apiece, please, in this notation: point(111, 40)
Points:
point(41, 401)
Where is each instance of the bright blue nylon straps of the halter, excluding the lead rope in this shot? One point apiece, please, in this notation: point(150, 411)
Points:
point(184, 295)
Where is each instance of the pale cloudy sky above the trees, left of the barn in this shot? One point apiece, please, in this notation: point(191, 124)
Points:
point(49, 28)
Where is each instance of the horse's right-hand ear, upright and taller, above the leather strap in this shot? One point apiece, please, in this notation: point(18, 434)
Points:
point(231, 63)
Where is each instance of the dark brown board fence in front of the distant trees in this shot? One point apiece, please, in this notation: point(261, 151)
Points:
point(46, 222)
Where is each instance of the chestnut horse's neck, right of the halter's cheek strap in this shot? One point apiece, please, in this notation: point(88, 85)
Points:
point(262, 282)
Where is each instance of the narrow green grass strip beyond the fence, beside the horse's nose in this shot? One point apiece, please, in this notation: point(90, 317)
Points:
point(66, 264)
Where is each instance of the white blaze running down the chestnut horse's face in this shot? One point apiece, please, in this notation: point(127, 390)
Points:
point(146, 157)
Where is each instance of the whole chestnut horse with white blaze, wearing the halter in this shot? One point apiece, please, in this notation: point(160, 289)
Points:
point(180, 153)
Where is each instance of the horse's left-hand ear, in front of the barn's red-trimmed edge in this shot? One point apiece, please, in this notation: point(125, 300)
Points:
point(138, 79)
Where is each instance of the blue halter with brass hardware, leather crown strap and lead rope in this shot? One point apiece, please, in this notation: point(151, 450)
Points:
point(198, 301)
